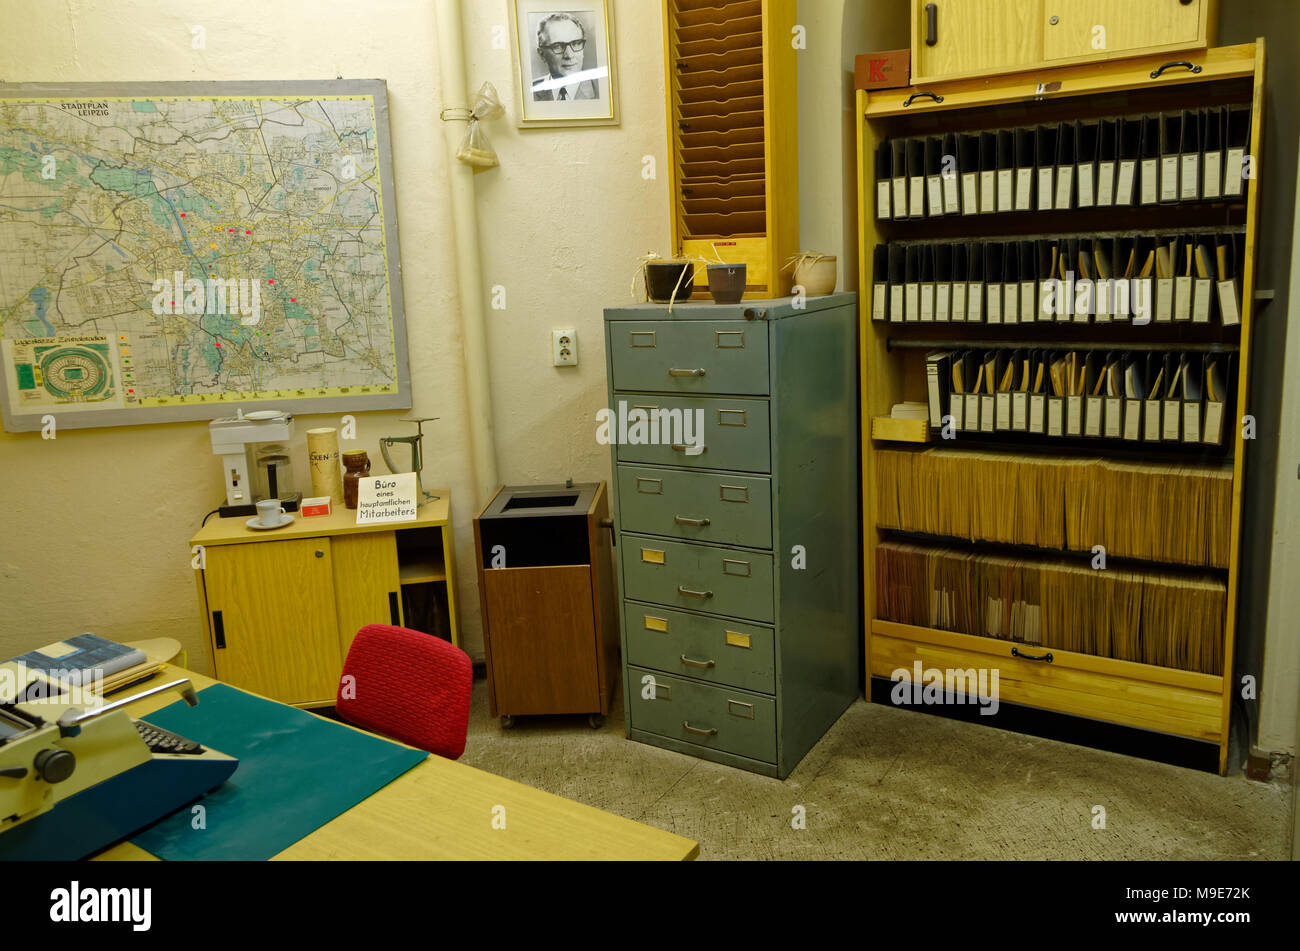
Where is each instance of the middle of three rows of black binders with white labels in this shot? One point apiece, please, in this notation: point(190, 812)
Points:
point(1184, 277)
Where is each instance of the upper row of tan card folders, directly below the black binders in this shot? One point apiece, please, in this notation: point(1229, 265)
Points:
point(1150, 511)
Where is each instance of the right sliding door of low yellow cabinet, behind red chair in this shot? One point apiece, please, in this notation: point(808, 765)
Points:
point(367, 584)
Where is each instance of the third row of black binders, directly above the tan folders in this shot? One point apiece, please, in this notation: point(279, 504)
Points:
point(1141, 397)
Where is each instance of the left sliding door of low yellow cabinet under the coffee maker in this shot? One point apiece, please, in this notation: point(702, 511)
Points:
point(274, 624)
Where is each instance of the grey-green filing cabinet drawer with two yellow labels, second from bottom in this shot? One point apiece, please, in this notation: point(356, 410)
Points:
point(729, 653)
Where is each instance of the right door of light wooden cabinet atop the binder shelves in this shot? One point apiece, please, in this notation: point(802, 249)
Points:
point(1098, 28)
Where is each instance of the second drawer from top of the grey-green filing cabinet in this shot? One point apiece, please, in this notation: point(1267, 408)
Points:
point(734, 435)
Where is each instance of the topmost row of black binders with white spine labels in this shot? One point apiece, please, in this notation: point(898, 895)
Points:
point(1195, 155)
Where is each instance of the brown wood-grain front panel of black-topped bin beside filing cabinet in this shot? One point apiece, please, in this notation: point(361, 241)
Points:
point(543, 640)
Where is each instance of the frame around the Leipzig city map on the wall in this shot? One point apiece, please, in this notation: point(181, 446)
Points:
point(275, 89)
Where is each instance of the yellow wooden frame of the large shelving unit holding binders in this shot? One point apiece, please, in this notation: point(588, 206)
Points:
point(1182, 704)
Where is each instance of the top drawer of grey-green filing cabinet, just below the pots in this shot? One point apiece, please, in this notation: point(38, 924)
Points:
point(690, 357)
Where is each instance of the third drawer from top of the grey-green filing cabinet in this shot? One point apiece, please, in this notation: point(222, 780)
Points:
point(697, 506)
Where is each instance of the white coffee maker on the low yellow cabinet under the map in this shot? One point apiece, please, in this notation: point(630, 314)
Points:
point(255, 464)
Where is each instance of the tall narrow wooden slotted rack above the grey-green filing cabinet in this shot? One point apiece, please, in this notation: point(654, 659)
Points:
point(734, 137)
